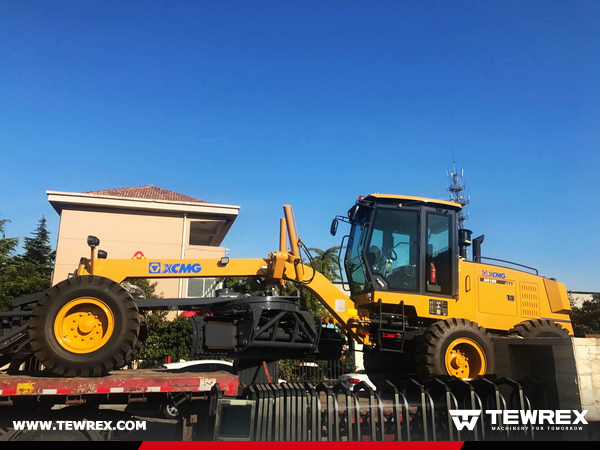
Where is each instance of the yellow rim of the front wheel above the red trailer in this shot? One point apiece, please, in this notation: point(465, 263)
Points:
point(84, 325)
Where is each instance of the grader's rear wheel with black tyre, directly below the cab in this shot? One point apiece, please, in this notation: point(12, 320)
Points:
point(455, 347)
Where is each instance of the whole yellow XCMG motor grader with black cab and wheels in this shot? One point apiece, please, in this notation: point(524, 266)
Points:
point(416, 303)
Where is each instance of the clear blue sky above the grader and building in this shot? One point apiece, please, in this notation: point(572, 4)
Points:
point(264, 103)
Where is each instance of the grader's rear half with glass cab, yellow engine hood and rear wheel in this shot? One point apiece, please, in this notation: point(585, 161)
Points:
point(429, 308)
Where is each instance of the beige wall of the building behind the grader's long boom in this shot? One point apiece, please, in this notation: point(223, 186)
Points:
point(122, 234)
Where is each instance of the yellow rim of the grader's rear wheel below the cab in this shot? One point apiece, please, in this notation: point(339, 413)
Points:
point(465, 359)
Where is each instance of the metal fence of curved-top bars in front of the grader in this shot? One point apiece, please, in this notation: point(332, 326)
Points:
point(409, 411)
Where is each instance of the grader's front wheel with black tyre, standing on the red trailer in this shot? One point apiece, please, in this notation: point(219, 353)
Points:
point(84, 326)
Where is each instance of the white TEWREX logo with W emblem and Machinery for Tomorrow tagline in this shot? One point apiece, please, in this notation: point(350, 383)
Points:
point(467, 418)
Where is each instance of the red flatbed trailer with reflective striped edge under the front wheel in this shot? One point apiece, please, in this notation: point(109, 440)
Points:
point(39, 396)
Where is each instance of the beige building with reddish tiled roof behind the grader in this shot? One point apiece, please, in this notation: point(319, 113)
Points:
point(157, 222)
